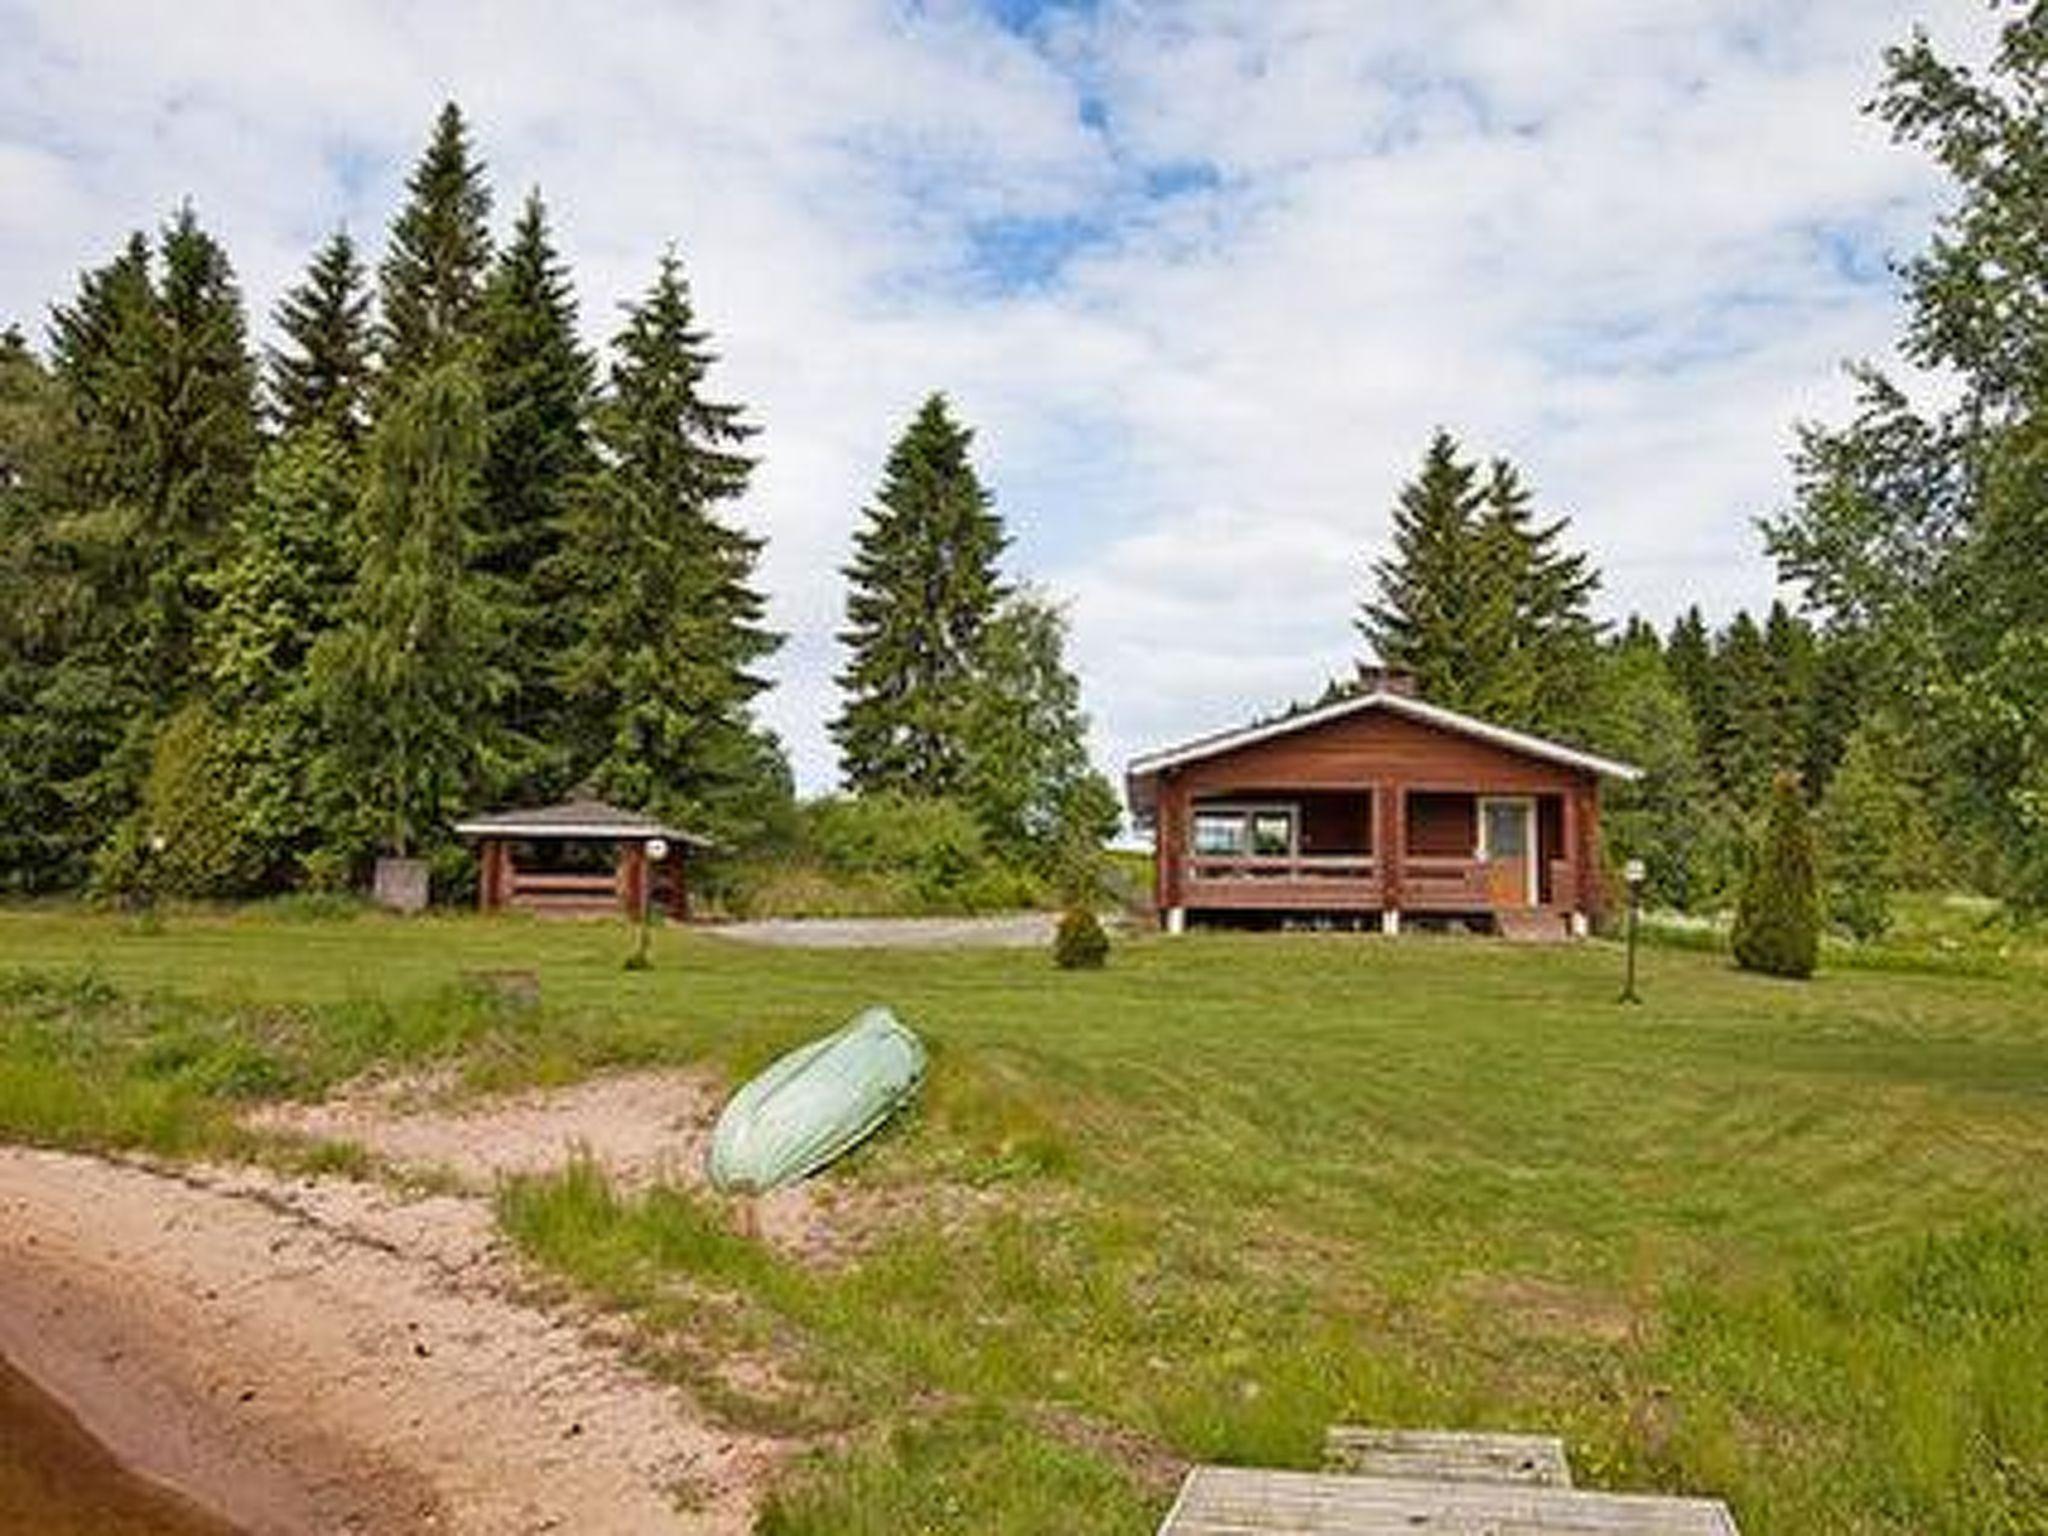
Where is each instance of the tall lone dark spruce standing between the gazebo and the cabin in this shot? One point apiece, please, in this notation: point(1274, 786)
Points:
point(923, 593)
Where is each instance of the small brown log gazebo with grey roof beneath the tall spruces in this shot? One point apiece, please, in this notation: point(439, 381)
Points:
point(581, 859)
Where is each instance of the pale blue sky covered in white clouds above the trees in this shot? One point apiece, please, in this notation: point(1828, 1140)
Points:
point(1201, 275)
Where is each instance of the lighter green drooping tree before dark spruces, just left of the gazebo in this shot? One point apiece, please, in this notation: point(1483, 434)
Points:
point(407, 685)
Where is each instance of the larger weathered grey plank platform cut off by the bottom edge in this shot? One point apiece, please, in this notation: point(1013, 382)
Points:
point(1252, 1502)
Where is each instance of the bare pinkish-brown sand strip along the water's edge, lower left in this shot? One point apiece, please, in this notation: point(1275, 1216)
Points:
point(329, 1357)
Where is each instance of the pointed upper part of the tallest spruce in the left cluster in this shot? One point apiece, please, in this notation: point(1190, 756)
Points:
point(431, 282)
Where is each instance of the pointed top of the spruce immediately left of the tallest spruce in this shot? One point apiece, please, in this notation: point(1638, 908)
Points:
point(321, 376)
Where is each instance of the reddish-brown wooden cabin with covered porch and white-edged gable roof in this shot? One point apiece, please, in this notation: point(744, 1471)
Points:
point(1375, 808)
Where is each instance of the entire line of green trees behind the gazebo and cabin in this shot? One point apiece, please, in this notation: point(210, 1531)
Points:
point(267, 617)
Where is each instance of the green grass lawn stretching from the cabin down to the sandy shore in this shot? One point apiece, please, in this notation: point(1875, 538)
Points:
point(1781, 1242)
